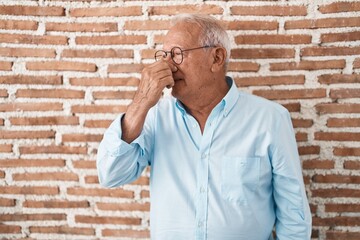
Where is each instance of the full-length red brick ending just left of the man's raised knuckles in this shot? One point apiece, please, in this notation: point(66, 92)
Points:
point(131, 81)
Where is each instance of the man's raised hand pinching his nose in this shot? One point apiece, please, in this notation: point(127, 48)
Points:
point(154, 78)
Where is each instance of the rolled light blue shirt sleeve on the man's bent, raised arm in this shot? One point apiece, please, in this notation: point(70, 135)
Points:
point(117, 161)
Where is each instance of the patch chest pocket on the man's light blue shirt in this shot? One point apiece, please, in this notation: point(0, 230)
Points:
point(240, 178)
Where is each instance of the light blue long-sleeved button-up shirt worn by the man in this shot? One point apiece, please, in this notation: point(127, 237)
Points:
point(233, 182)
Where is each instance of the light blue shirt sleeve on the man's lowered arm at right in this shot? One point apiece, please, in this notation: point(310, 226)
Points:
point(293, 216)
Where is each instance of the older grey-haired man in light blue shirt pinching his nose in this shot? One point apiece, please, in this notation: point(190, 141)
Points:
point(224, 164)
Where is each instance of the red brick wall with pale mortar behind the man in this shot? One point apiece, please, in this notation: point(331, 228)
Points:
point(67, 68)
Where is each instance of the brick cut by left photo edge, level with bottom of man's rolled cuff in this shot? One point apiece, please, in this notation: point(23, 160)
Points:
point(4, 134)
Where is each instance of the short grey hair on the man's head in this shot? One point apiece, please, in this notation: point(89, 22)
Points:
point(213, 32)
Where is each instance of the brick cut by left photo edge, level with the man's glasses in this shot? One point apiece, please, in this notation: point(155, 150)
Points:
point(27, 52)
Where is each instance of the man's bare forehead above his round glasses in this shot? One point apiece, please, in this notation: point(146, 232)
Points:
point(183, 35)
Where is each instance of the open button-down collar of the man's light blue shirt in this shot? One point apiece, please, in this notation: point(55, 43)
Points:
point(227, 103)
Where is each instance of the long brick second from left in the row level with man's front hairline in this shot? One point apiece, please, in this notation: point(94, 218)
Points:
point(81, 27)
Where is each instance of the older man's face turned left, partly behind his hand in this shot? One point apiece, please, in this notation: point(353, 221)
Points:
point(191, 79)
